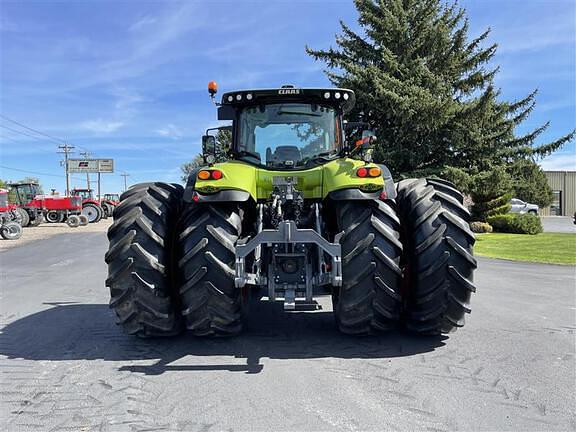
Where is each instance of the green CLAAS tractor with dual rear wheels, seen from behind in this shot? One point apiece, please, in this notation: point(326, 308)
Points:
point(286, 211)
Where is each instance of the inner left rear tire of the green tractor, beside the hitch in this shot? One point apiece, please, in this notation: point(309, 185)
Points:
point(211, 304)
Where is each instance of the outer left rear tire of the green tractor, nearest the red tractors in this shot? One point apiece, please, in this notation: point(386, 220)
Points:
point(140, 260)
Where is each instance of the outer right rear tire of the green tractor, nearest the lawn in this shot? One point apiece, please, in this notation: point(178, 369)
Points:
point(439, 263)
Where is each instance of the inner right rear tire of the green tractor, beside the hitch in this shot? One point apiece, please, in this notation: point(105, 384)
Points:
point(369, 298)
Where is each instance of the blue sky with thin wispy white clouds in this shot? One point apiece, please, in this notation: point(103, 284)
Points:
point(127, 79)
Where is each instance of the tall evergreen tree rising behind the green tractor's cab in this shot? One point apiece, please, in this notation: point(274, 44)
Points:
point(428, 91)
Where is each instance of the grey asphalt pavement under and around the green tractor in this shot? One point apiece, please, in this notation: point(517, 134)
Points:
point(65, 366)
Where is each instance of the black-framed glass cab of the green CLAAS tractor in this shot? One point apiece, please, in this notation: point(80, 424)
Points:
point(286, 128)
